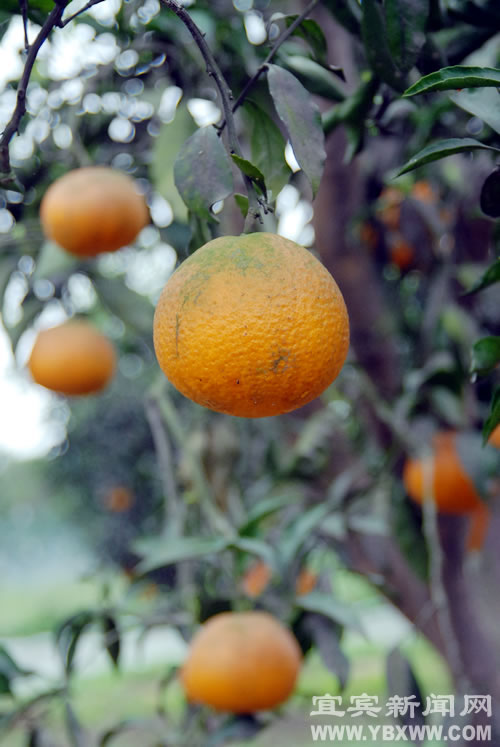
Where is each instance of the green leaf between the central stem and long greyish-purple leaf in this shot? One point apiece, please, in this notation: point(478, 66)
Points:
point(268, 148)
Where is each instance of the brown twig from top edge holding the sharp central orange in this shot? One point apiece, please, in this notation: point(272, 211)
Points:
point(226, 97)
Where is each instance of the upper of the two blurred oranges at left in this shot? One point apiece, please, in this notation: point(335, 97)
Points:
point(92, 210)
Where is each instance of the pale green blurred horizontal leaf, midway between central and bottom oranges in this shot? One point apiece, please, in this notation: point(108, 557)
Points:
point(161, 552)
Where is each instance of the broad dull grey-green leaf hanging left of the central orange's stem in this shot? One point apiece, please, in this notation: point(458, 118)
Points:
point(202, 172)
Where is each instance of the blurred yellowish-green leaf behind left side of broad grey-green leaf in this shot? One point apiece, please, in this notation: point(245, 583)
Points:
point(165, 150)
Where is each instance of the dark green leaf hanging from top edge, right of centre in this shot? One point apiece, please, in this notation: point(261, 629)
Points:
point(406, 20)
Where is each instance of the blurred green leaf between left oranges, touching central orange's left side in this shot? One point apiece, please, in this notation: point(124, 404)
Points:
point(132, 308)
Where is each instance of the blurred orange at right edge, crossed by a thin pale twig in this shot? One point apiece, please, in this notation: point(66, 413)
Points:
point(453, 490)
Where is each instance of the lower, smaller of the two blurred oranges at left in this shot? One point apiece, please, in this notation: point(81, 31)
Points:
point(73, 358)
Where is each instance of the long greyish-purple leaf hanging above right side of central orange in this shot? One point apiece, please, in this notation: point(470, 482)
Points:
point(302, 119)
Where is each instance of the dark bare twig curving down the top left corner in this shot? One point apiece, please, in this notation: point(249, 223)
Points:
point(52, 20)
